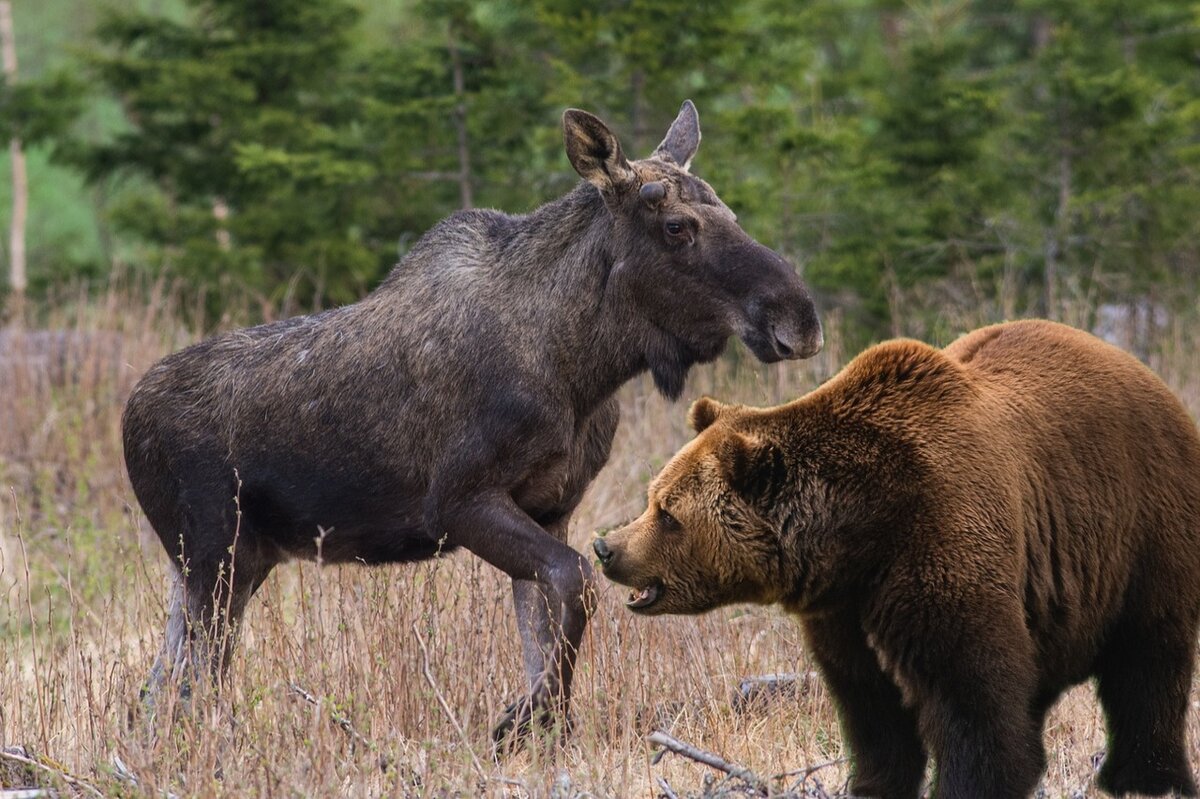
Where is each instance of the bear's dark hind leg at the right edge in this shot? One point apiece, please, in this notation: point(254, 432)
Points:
point(1143, 681)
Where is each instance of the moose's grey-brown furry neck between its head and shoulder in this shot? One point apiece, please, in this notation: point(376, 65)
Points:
point(596, 338)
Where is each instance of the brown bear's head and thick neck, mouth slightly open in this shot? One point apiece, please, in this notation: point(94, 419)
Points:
point(795, 504)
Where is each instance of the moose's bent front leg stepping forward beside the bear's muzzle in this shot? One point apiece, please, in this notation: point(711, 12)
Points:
point(554, 592)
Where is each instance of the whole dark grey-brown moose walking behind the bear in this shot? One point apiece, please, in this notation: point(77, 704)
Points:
point(466, 404)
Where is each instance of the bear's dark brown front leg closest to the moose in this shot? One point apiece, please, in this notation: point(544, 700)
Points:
point(887, 756)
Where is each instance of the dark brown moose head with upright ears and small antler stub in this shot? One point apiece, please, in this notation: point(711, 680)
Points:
point(691, 273)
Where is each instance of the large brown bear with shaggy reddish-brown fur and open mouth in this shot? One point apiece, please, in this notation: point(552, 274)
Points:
point(963, 534)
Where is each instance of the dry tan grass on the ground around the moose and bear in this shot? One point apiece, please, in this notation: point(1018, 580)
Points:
point(83, 585)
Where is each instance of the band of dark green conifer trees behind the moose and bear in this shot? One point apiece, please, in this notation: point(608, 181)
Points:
point(1005, 151)
